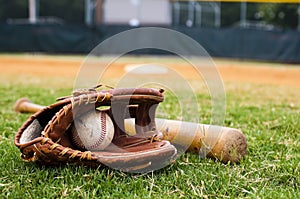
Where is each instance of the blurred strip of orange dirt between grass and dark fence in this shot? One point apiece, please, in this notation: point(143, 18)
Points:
point(231, 71)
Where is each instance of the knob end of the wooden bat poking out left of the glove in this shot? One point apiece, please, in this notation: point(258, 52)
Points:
point(24, 105)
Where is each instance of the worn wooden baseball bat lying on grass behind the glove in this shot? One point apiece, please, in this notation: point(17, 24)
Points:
point(217, 142)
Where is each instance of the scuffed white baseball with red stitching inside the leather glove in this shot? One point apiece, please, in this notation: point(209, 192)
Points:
point(93, 131)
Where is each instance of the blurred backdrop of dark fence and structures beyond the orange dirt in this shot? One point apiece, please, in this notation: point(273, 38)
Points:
point(259, 30)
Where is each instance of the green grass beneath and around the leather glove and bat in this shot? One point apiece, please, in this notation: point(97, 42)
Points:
point(268, 115)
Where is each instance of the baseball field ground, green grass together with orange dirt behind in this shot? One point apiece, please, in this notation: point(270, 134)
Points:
point(262, 100)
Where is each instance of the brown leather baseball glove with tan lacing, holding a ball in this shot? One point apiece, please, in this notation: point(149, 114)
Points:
point(46, 136)
